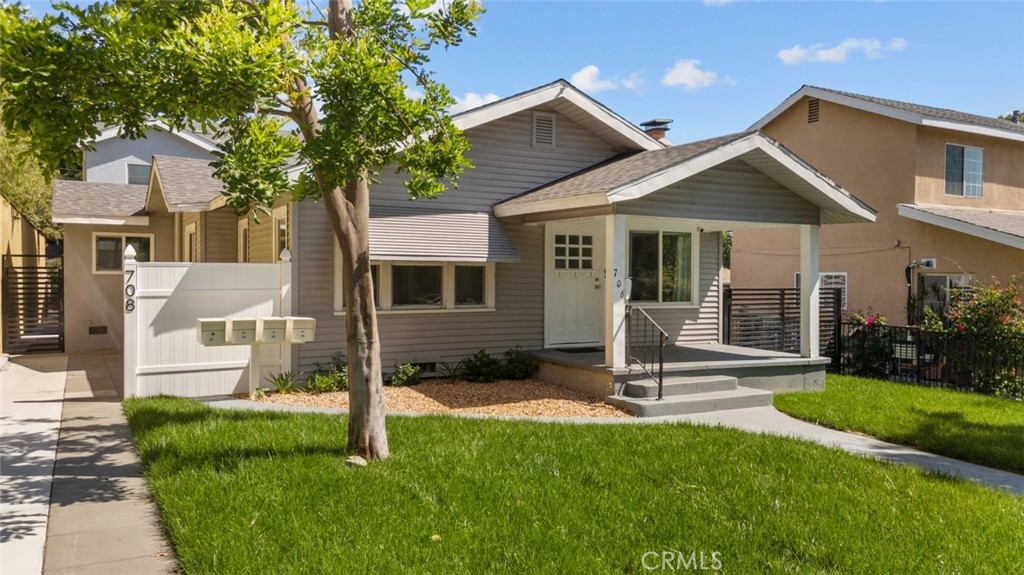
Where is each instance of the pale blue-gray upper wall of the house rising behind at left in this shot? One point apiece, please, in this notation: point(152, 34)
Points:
point(108, 163)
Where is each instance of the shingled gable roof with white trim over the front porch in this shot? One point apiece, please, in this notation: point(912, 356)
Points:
point(632, 176)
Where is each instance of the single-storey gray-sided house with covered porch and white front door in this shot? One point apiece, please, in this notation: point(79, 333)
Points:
point(574, 231)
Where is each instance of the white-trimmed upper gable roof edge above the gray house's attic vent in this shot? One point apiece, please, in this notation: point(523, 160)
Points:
point(570, 102)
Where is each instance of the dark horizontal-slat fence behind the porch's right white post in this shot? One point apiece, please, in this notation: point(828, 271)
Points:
point(770, 319)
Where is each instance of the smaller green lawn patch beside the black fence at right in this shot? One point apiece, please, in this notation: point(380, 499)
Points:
point(985, 430)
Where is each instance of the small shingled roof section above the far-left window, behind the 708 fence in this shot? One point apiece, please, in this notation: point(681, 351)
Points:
point(99, 203)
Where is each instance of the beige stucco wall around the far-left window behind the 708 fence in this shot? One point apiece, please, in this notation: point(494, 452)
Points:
point(93, 299)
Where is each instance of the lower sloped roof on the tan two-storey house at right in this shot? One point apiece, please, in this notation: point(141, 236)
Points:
point(1001, 227)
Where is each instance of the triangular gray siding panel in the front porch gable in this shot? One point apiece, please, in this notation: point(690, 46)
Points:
point(732, 192)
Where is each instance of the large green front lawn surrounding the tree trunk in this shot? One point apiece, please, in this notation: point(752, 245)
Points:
point(261, 493)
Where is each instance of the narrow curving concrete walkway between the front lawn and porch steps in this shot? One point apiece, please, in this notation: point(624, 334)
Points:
point(756, 420)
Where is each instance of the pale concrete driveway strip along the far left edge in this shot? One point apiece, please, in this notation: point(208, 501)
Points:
point(31, 400)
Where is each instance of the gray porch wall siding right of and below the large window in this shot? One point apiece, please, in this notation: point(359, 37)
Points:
point(700, 325)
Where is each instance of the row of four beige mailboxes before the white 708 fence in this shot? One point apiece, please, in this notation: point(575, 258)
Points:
point(248, 331)
